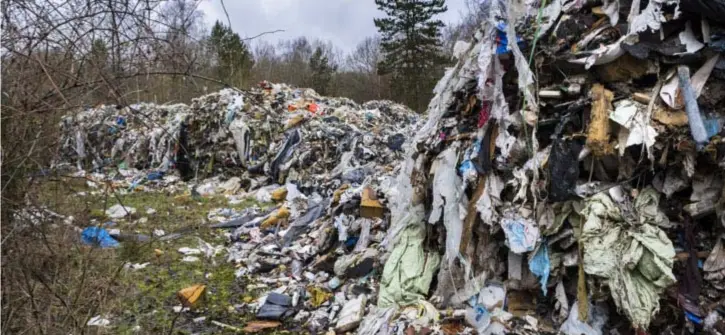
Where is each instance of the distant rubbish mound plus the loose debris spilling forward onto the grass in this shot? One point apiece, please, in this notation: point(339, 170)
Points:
point(308, 246)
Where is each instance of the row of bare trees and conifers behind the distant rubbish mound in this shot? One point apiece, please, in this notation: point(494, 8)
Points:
point(161, 51)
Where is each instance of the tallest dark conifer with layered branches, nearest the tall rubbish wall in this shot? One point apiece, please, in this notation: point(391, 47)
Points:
point(411, 46)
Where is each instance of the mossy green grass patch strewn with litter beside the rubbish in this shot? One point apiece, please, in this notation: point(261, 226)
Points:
point(144, 299)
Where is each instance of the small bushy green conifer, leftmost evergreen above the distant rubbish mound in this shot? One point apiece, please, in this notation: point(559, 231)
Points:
point(234, 61)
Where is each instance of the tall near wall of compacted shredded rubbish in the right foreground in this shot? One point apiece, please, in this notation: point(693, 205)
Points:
point(569, 178)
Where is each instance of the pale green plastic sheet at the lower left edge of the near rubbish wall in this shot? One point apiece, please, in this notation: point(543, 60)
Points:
point(409, 270)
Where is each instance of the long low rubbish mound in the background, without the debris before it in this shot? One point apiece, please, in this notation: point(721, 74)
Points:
point(274, 130)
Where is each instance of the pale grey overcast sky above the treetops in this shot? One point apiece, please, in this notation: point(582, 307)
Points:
point(344, 22)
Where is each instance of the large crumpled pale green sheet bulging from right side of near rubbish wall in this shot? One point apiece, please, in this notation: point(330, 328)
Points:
point(635, 255)
